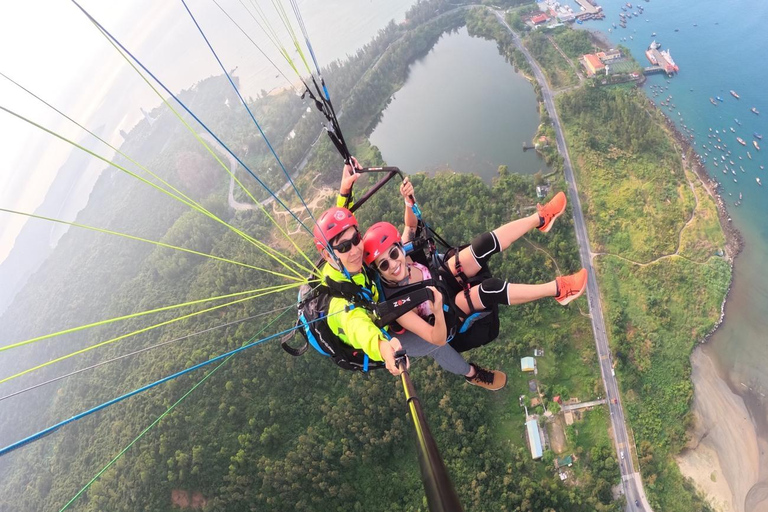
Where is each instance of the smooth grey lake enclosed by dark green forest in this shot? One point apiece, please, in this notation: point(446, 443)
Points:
point(463, 108)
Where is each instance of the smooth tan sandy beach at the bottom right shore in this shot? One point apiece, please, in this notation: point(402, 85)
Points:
point(722, 458)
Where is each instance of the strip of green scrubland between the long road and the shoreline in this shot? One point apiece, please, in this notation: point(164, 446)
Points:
point(641, 211)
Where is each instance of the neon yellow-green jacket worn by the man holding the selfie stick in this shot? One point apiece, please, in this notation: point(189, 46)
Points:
point(354, 327)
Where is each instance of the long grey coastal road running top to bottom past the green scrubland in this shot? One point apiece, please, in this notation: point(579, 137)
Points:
point(630, 479)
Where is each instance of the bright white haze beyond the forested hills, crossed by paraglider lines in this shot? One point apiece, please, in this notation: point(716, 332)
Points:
point(51, 48)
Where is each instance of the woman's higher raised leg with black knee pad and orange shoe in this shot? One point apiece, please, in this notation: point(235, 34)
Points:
point(474, 257)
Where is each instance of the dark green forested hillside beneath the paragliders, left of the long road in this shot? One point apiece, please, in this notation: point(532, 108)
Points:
point(267, 431)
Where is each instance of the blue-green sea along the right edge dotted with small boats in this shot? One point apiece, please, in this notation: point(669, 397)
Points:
point(718, 47)
